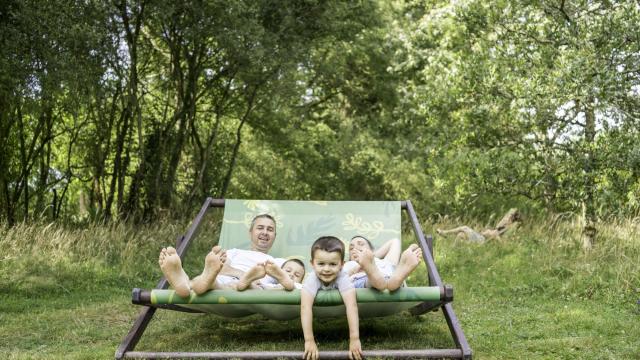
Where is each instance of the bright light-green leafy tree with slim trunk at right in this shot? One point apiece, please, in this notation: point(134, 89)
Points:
point(533, 86)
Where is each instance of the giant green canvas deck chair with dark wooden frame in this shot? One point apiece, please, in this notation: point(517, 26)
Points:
point(299, 223)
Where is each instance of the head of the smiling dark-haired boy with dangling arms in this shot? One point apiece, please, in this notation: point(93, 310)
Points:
point(327, 258)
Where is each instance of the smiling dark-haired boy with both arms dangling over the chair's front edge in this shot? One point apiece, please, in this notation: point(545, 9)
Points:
point(327, 259)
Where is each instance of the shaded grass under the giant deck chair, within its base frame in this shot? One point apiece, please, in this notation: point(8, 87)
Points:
point(172, 331)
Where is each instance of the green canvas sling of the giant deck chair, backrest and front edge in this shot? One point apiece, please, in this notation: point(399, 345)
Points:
point(298, 225)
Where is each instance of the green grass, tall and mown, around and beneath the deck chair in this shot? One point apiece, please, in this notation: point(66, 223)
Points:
point(65, 293)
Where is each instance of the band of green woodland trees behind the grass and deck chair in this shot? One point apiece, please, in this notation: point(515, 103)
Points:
point(134, 109)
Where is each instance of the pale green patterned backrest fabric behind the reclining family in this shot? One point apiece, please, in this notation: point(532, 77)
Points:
point(300, 223)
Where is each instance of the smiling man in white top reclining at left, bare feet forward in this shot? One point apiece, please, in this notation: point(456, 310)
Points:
point(225, 269)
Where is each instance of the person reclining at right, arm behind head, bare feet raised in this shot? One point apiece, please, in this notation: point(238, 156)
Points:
point(384, 268)
